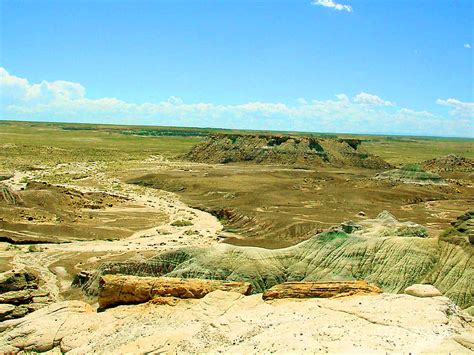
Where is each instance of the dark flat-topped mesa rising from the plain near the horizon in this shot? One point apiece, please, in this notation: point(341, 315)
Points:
point(286, 150)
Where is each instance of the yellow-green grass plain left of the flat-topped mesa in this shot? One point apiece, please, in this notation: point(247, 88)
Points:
point(25, 144)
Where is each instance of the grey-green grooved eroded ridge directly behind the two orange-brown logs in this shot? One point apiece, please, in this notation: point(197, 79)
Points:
point(390, 254)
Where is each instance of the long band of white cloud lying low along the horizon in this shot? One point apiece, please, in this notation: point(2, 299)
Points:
point(364, 113)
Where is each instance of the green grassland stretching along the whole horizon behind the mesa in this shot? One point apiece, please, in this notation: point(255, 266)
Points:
point(24, 144)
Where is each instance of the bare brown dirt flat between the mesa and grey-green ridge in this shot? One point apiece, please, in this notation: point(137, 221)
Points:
point(271, 206)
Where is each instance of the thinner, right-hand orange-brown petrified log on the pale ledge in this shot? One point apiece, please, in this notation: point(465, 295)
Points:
point(320, 289)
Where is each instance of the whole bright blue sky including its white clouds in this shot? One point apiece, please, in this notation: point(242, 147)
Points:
point(403, 67)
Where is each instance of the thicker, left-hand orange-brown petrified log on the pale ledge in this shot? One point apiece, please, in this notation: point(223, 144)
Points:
point(120, 289)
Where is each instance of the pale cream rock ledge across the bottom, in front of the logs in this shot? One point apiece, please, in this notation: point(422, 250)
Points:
point(231, 322)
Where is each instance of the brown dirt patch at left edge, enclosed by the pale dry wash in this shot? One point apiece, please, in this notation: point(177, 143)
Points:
point(46, 213)
